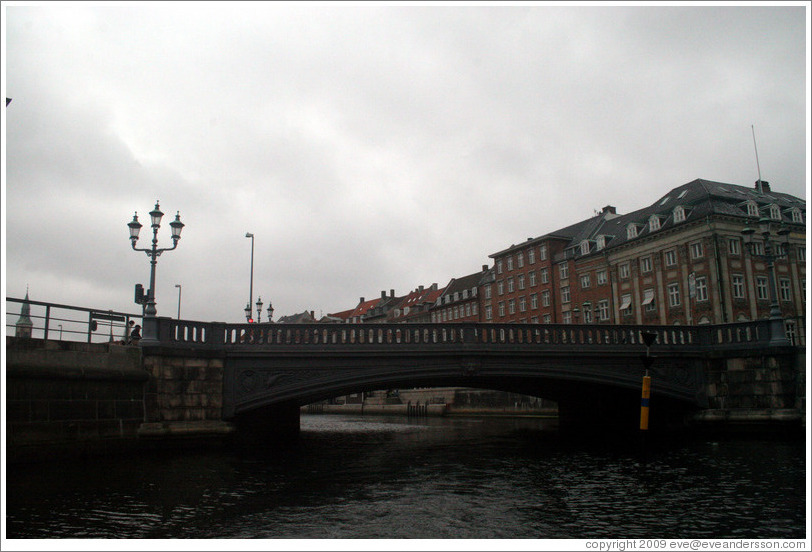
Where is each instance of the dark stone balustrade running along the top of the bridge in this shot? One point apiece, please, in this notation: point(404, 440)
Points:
point(744, 334)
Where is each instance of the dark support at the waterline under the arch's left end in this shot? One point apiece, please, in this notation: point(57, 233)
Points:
point(266, 426)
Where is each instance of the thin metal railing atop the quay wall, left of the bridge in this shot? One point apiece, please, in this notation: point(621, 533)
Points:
point(67, 322)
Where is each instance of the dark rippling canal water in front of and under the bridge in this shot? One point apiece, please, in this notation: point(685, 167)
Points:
point(440, 478)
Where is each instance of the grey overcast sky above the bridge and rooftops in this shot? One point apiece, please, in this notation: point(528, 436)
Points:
point(367, 147)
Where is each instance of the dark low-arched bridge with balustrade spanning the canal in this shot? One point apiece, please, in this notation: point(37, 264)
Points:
point(593, 372)
